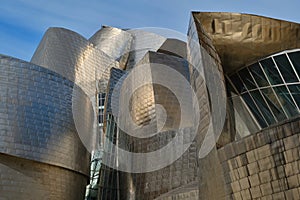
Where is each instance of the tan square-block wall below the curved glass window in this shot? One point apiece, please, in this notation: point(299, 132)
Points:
point(264, 165)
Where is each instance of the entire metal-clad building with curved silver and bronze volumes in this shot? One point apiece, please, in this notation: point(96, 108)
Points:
point(130, 114)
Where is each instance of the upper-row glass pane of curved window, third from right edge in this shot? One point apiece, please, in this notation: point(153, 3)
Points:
point(271, 71)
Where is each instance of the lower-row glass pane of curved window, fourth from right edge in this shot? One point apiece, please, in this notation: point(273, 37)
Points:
point(260, 102)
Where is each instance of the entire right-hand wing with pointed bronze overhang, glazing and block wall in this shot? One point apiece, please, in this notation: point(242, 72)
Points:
point(253, 55)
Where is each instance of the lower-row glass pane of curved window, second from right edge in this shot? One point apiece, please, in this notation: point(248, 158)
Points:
point(286, 100)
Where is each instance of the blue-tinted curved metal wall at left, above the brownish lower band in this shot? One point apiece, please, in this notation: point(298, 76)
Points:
point(36, 117)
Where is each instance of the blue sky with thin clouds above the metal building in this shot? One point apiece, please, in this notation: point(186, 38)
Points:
point(23, 22)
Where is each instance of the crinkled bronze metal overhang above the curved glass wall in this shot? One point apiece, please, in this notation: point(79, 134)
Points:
point(242, 38)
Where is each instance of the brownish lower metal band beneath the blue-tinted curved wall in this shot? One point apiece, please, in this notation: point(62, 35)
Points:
point(27, 179)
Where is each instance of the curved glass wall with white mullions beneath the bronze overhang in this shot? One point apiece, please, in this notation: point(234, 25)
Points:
point(271, 87)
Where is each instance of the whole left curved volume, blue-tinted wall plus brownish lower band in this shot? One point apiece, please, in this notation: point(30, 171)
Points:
point(41, 153)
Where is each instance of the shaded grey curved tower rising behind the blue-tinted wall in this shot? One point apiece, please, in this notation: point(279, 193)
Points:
point(60, 50)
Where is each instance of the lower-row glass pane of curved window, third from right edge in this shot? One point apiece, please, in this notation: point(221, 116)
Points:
point(273, 103)
